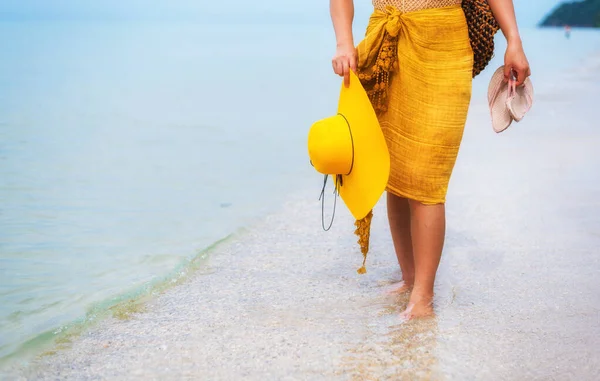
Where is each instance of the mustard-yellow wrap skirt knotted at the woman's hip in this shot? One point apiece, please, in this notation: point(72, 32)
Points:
point(417, 69)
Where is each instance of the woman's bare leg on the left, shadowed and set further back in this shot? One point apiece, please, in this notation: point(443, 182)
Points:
point(400, 225)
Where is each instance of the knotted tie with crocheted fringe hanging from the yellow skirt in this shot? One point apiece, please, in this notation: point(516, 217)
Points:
point(378, 55)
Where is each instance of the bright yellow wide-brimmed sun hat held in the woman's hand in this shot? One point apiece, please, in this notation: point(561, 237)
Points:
point(350, 146)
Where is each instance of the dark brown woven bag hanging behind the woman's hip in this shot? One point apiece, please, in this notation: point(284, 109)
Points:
point(482, 28)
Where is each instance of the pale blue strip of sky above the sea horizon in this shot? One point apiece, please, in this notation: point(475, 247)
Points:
point(529, 12)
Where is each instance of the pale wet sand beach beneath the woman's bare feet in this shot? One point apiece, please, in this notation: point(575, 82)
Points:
point(518, 297)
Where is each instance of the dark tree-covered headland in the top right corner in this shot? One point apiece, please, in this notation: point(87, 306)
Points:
point(577, 13)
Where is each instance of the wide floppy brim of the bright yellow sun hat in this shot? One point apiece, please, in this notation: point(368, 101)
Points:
point(363, 187)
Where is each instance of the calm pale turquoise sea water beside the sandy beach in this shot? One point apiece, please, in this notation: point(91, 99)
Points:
point(127, 148)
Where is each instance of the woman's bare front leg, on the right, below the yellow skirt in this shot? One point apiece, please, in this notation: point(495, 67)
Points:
point(428, 229)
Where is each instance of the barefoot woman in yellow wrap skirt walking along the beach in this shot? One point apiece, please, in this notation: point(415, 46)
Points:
point(422, 113)
